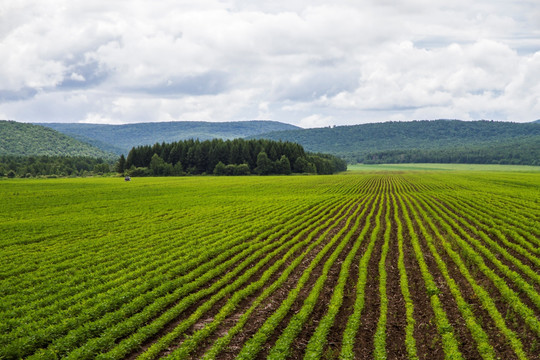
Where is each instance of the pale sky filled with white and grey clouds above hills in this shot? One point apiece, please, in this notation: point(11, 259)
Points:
point(306, 62)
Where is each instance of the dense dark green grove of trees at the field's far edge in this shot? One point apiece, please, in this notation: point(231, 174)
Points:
point(226, 157)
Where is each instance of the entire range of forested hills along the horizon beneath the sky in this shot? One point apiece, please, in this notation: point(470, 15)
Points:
point(444, 140)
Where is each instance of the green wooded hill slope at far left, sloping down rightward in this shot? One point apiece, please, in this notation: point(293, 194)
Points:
point(22, 139)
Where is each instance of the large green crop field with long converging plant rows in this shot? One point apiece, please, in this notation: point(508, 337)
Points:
point(401, 264)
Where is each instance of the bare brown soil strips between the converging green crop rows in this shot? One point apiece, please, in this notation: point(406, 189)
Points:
point(428, 341)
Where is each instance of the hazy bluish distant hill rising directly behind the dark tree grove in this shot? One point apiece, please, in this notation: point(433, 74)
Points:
point(121, 138)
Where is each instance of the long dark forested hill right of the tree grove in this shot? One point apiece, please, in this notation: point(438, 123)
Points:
point(423, 141)
